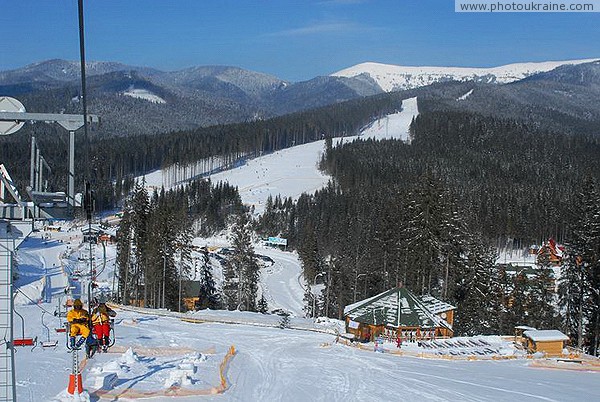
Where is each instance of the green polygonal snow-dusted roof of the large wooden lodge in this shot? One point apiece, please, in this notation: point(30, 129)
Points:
point(397, 307)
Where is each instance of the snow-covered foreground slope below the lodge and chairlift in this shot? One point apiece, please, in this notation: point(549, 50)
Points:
point(161, 357)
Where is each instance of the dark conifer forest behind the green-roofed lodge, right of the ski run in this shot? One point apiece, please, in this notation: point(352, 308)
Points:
point(426, 215)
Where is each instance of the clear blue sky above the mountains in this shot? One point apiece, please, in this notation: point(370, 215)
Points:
point(291, 39)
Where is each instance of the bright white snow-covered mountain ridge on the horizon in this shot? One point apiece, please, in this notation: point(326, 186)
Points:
point(394, 78)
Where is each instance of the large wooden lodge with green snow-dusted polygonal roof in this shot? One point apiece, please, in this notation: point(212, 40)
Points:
point(398, 312)
